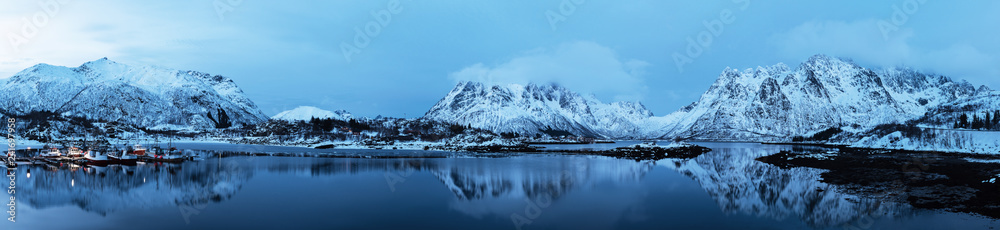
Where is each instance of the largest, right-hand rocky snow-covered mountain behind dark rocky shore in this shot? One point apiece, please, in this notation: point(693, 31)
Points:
point(777, 102)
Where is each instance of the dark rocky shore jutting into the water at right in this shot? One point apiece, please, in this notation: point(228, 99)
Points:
point(952, 182)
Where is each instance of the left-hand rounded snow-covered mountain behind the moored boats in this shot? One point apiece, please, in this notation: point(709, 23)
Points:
point(144, 96)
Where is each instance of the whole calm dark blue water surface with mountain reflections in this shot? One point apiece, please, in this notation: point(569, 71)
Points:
point(725, 189)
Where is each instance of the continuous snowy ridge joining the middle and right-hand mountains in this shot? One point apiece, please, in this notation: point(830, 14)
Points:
point(772, 103)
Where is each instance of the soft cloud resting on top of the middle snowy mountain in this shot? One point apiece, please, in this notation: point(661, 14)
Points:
point(583, 66)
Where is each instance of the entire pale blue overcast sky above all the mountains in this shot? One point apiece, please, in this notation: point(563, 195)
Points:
point(411, 53)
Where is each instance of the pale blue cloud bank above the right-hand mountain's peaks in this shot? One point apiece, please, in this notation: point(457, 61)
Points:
point(864, 42)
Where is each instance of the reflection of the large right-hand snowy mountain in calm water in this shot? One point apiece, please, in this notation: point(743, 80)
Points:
point(743, 185)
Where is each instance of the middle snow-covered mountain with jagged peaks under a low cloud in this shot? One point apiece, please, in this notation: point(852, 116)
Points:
point(531, 109)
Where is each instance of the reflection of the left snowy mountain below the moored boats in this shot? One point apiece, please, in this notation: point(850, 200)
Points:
point(104, 190)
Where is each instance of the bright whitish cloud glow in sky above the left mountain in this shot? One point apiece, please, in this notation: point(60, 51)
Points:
point(71, 33)
